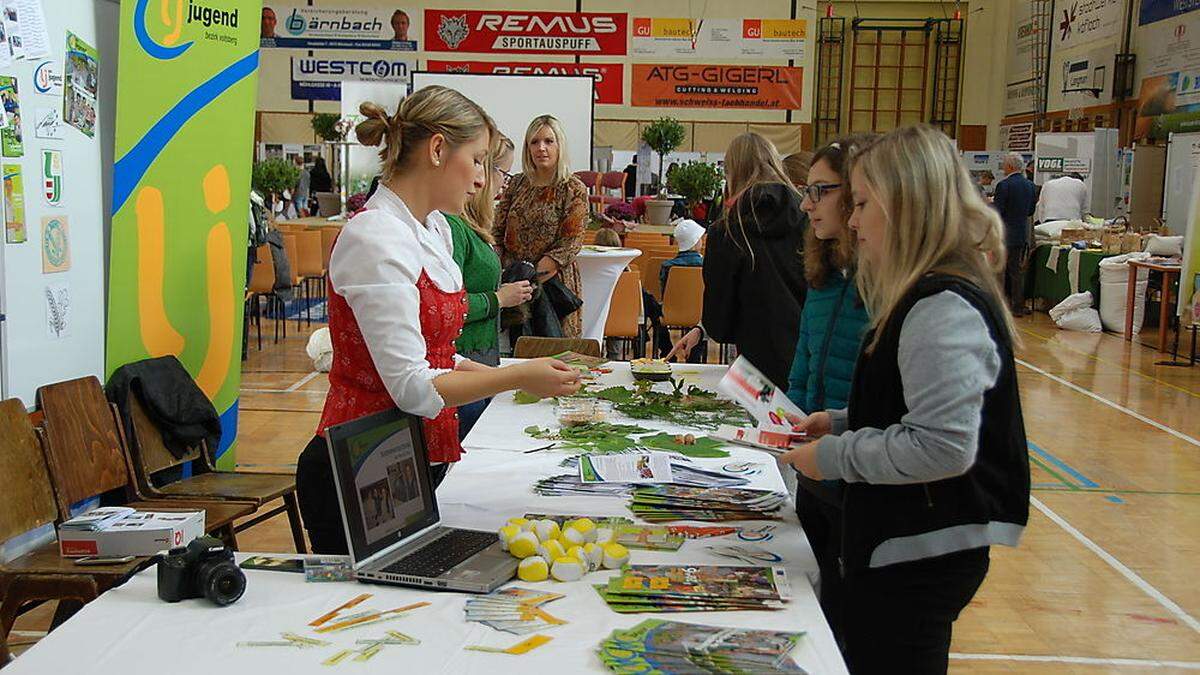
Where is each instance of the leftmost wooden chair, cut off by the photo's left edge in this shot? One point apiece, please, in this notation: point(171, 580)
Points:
point(27, 503)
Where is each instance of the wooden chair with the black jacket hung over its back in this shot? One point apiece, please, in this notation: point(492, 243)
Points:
point(149, 456)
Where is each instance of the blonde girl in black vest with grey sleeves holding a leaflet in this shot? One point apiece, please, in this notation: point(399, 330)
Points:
point(933, 444)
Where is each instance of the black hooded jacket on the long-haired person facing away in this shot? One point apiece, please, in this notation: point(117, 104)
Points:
point(754, 286)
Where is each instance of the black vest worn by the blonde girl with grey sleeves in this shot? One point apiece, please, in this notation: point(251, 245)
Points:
point(988, 505)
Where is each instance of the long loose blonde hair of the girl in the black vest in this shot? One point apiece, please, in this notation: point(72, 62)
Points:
point(937, 223)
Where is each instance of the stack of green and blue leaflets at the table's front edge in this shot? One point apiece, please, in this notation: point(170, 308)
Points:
point(673, 648)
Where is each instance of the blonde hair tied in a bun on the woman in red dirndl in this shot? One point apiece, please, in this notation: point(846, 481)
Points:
point(428, 112)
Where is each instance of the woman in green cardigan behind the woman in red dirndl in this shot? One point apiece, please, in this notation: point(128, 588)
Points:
point(472, 236)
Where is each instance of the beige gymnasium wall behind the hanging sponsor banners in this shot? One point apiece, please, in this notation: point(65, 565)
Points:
point(617, 126)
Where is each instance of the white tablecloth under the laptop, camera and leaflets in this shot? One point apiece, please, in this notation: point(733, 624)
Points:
point(131, 632)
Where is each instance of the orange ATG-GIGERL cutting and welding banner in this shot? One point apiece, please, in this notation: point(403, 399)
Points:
point(770, 88)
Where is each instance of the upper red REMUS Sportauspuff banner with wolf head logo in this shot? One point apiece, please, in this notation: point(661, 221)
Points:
point(501, 32)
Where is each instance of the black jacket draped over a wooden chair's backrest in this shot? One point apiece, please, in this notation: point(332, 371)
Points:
point(172, 401)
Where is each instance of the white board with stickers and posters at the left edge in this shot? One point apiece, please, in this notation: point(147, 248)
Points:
point(32, 357)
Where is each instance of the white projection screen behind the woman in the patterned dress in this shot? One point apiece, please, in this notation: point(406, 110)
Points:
point(515, 100)
